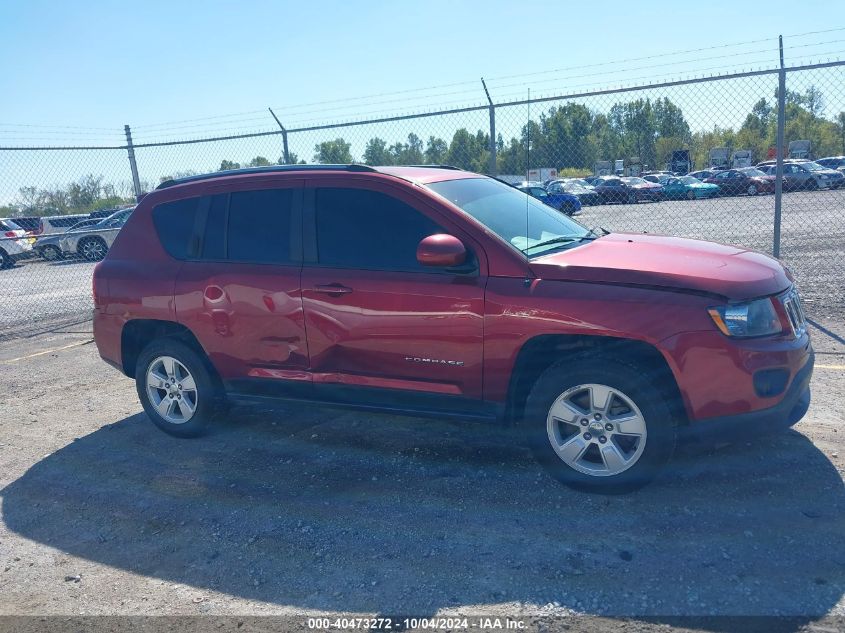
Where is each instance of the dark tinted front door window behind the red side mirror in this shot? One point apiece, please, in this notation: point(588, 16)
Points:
point(364, 229)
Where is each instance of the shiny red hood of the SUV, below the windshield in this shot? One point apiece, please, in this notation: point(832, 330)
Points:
point(670, 262)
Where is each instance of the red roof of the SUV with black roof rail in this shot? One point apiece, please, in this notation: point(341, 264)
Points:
point(415, 173)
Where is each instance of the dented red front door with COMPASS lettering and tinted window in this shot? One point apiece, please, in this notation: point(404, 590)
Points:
point(375, 317)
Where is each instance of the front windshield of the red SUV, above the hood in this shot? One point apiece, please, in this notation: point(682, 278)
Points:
point(524, 223)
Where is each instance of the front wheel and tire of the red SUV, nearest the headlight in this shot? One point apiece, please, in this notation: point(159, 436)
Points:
point(637, 461)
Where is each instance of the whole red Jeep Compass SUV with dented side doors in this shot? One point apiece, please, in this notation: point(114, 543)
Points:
point(439, 292)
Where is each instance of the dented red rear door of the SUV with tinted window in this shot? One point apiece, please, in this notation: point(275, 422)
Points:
point(239, 288)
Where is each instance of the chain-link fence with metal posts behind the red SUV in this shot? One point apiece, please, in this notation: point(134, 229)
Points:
point(694, 158)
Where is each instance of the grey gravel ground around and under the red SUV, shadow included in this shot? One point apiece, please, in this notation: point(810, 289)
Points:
point(304, 511)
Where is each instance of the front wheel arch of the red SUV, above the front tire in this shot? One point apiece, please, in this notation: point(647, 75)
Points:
point(540, 352)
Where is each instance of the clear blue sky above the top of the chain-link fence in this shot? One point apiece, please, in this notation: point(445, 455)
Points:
point(75, 72)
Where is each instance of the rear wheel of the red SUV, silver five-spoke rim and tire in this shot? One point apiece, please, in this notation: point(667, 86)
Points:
point(178, 406)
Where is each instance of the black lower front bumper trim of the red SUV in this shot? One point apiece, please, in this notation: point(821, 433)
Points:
point(788, 412)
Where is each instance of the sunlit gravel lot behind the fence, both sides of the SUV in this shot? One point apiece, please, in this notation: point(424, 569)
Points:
point(39, 296)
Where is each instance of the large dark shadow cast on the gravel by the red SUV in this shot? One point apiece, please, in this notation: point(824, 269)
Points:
point(350, 512)
